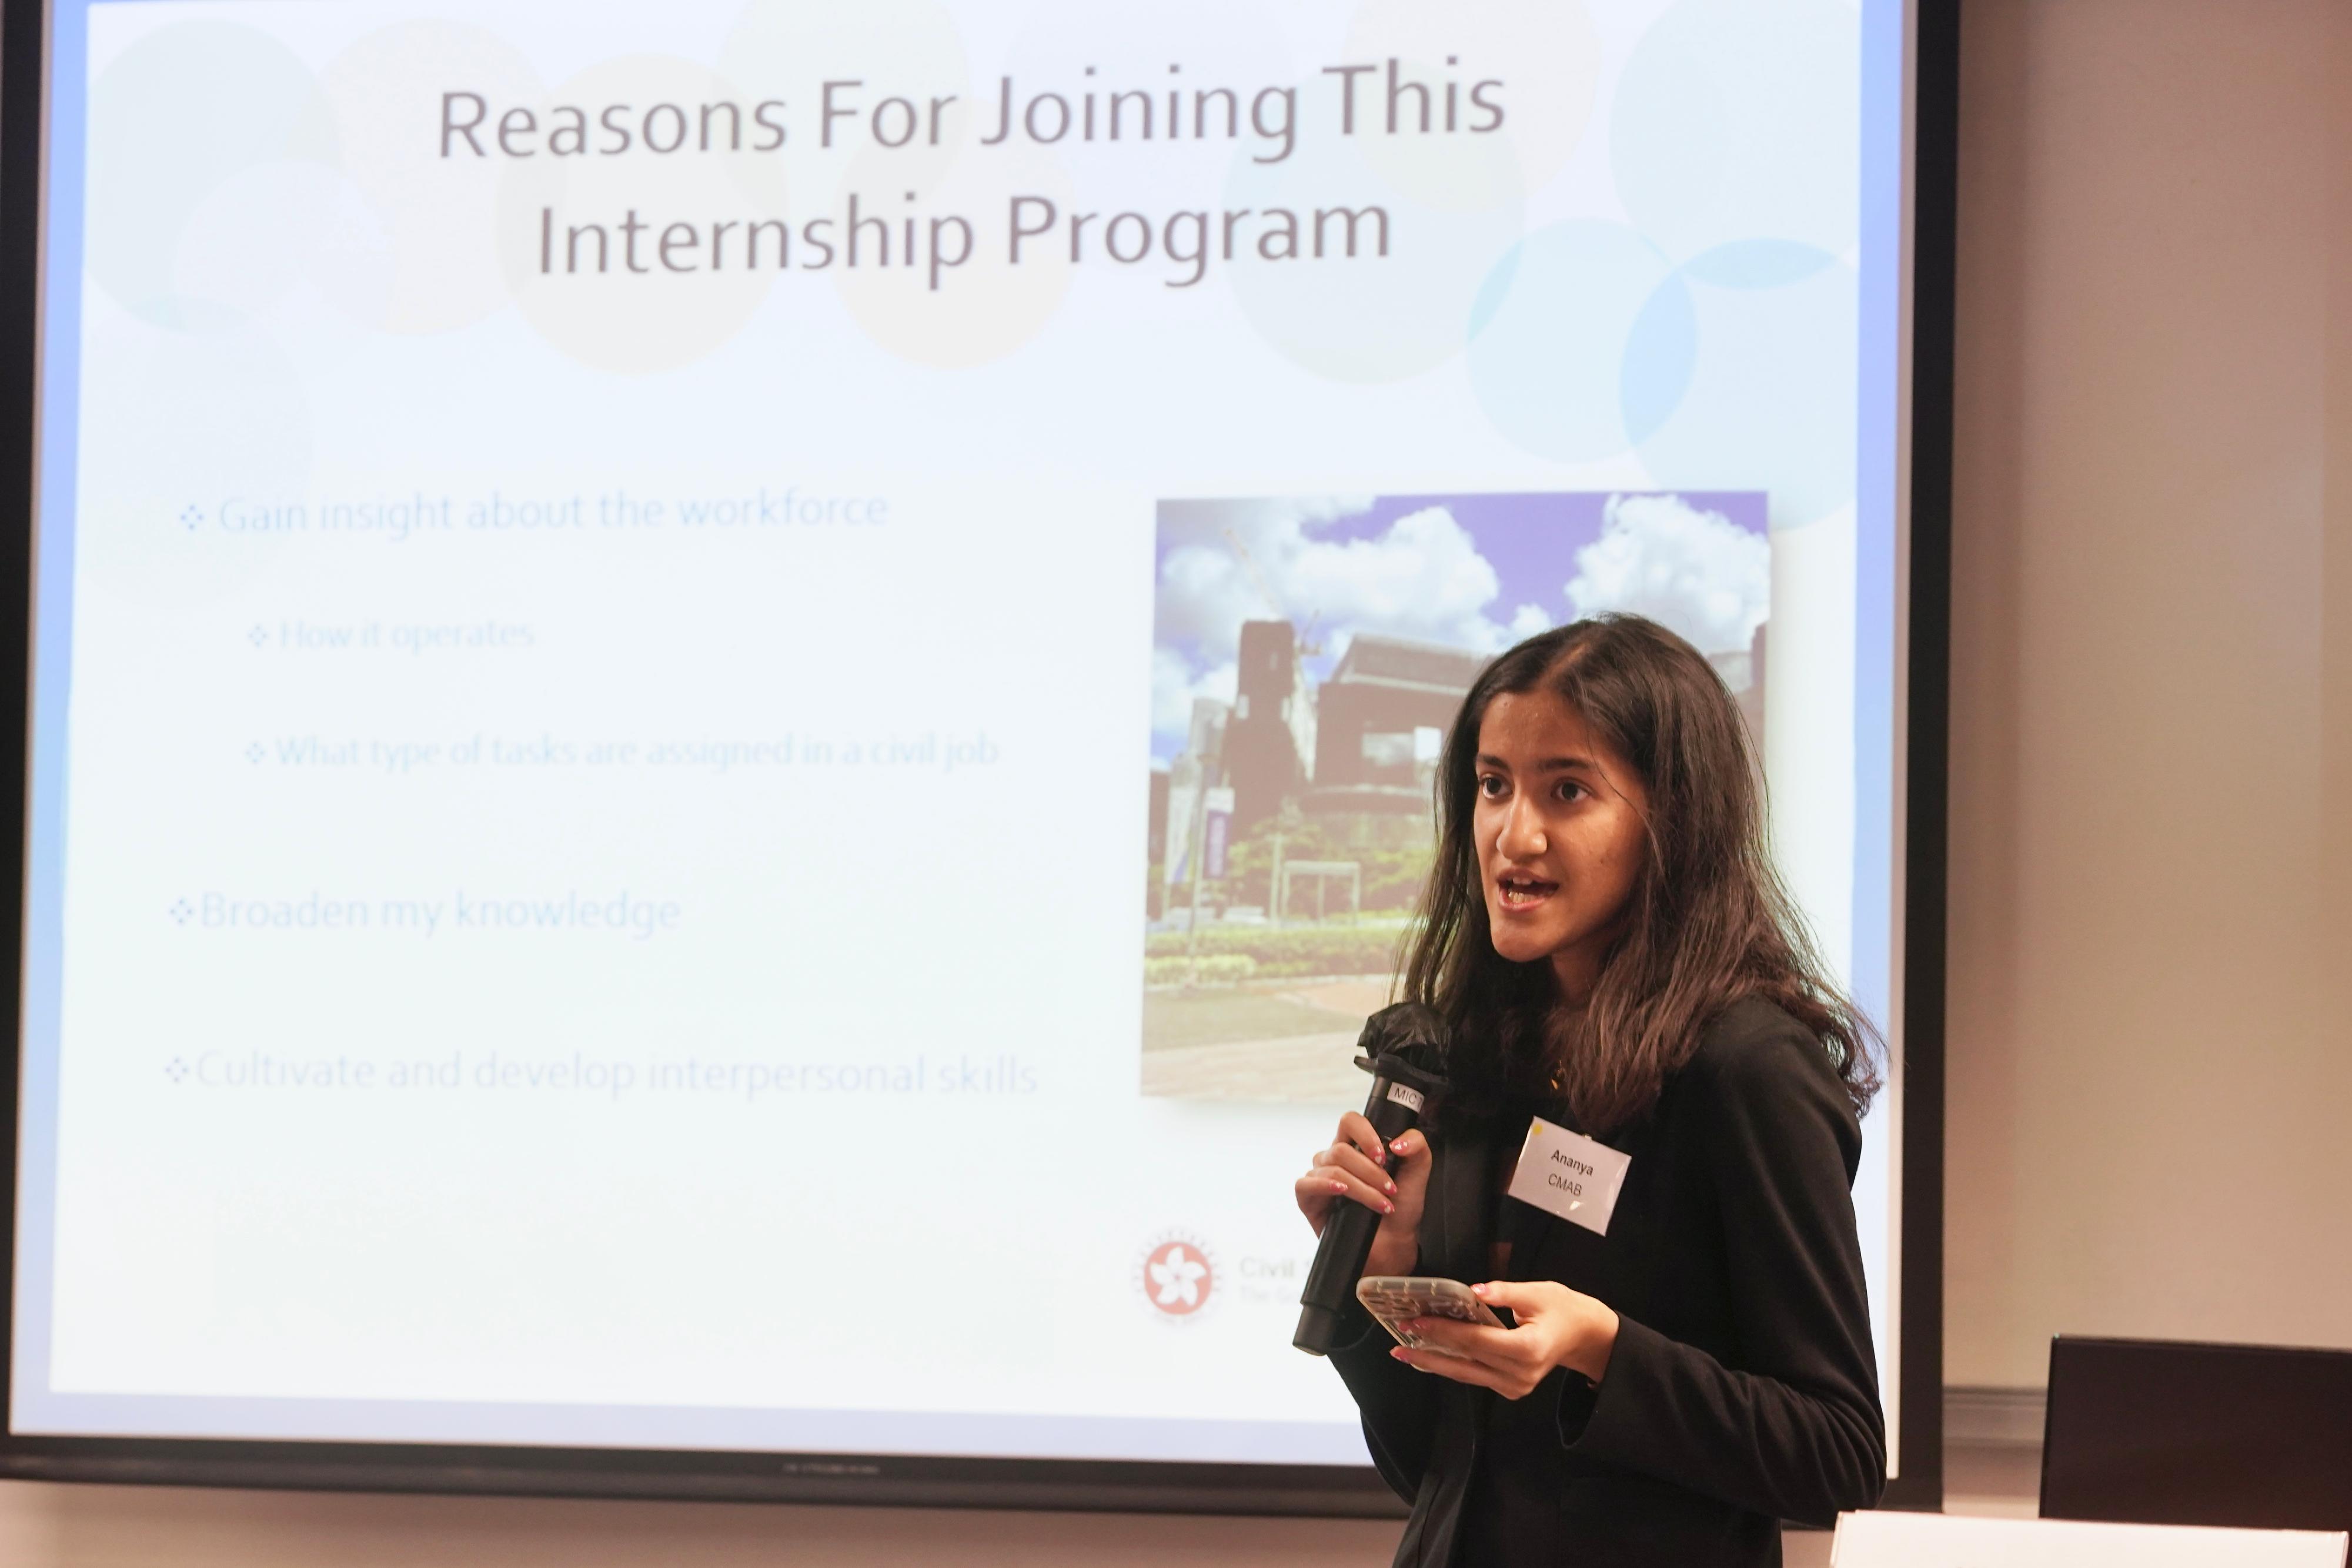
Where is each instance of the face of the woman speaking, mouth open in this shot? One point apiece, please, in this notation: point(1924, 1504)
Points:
point(1561, 836)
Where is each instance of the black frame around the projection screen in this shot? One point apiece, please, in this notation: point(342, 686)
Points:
point(1010, 1485)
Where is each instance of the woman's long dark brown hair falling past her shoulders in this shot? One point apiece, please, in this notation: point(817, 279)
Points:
point(1709, 920)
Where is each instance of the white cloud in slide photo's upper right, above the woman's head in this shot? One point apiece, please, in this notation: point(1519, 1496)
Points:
point(1695, 572)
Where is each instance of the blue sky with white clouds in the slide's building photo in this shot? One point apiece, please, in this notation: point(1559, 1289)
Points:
point(1466, 572)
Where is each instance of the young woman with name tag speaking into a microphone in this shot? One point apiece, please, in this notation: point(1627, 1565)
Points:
point(1610, 956)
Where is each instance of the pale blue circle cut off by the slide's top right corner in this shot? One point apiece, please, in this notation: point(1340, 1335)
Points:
point(1739, 121)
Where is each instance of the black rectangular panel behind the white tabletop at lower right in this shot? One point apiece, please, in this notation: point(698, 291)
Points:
point(2224, 1435)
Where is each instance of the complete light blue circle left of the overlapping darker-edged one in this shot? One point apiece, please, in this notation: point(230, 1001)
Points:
point(1551, 335)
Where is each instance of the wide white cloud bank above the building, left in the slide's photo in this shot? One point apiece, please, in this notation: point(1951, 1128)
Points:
point(1422, 577)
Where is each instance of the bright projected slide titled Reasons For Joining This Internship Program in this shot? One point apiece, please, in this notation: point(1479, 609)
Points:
point(735, 702)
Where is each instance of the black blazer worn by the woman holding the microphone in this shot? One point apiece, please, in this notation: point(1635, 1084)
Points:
point(1742, 1388)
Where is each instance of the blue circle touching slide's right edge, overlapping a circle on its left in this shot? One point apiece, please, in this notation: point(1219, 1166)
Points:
point(1760, 344)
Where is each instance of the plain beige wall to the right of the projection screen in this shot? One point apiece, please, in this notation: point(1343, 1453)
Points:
point(2151, 1059)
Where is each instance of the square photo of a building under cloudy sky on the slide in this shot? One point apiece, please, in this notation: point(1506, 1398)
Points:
point(1307, 666)
